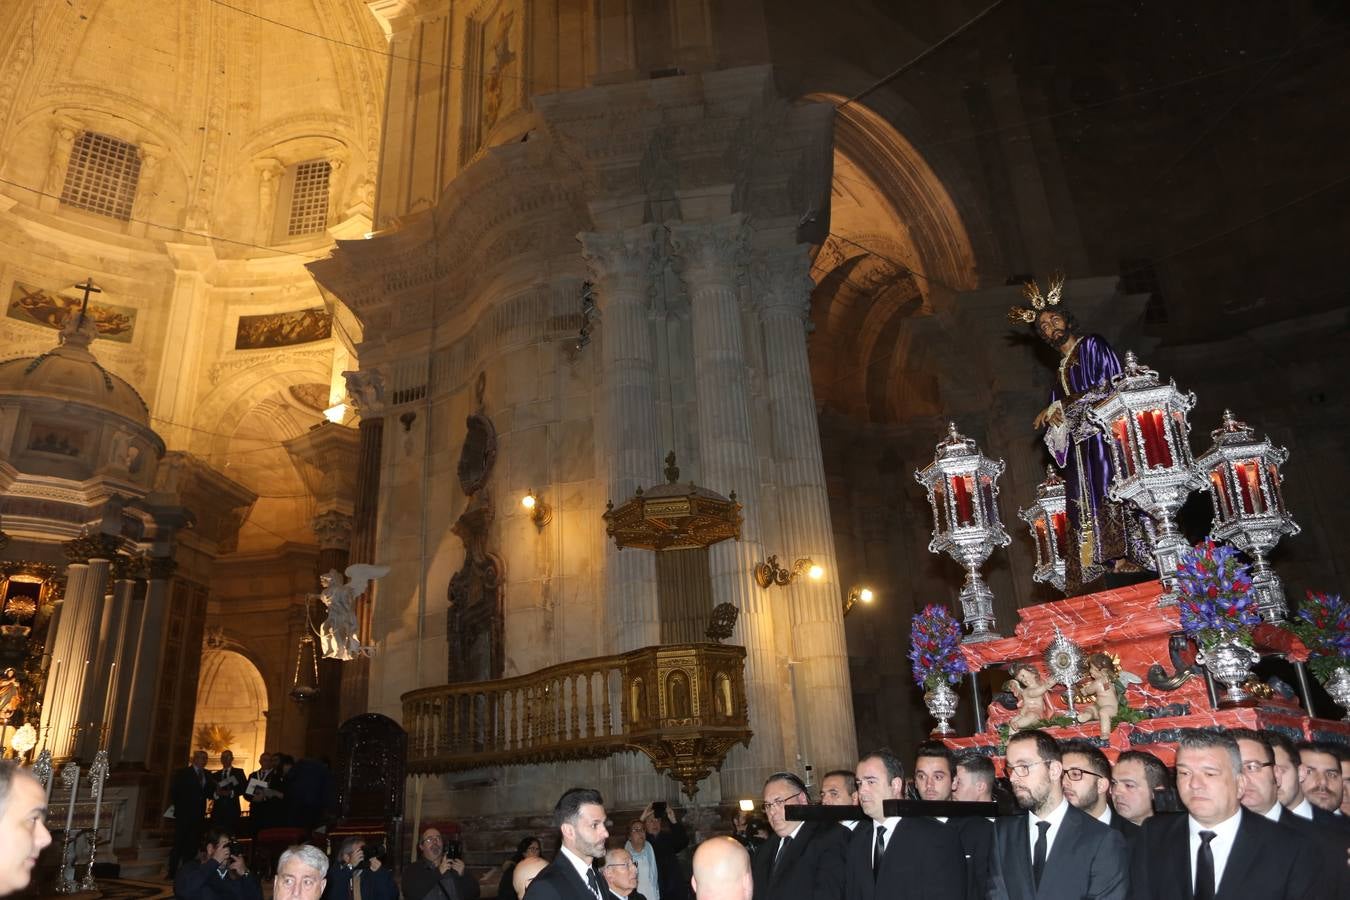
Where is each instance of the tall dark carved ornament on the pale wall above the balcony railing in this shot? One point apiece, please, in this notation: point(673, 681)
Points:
point(475, 624)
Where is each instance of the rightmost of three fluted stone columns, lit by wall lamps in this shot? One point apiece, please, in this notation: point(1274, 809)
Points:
point(821, 681)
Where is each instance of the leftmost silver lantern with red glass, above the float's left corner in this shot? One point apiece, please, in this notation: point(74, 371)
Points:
point(963, 489)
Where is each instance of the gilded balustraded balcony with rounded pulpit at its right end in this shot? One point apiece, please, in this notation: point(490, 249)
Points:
point(681, 705)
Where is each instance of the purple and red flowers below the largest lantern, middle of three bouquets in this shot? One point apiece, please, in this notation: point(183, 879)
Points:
point(1216, 598)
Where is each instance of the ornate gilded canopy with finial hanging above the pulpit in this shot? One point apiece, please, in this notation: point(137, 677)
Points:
point(673, 516)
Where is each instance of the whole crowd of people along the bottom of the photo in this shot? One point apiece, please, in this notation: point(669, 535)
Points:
point(1249, 816)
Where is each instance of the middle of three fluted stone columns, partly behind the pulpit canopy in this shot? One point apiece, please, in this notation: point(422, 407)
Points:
point(709, 258)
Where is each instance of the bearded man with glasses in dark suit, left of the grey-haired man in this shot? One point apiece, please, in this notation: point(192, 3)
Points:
point(1055, 851)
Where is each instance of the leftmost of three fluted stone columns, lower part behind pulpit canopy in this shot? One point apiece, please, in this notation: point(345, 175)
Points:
point(623, 266)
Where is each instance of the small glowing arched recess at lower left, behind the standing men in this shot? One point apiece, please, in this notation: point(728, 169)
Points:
point(233, 696)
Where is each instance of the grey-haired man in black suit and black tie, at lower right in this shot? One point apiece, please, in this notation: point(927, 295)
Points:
point(1220, 851)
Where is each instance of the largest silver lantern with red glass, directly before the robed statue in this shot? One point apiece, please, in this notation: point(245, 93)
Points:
point(1145, 424)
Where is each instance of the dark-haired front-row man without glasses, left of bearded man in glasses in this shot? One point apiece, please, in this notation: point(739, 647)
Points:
point(915, 857)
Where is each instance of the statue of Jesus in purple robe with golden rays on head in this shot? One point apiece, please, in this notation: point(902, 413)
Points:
point(1102, 534)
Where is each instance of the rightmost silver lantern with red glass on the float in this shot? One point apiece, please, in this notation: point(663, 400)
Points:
point(1248, 505)
